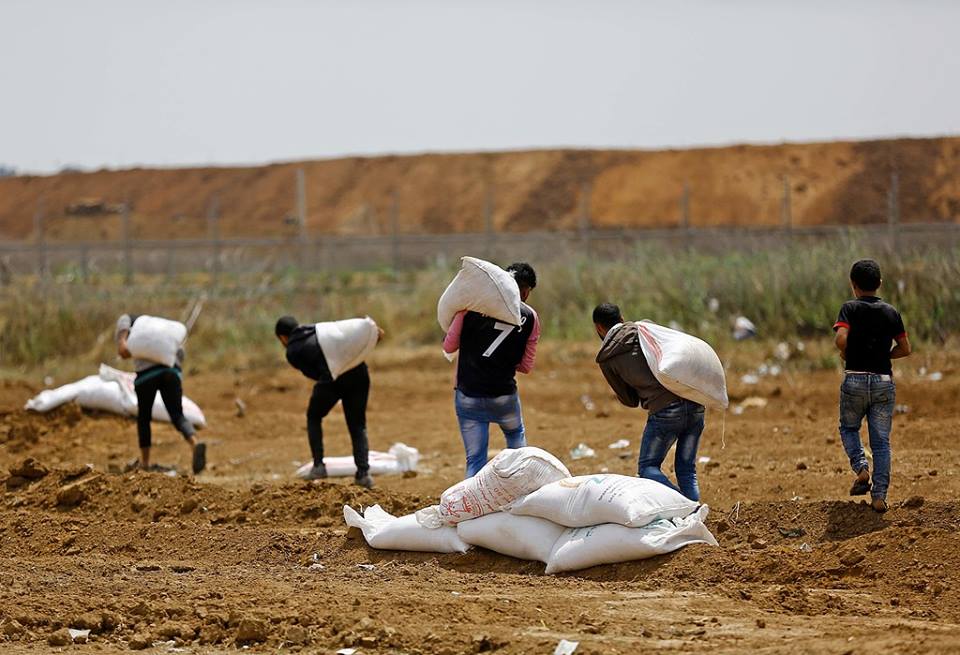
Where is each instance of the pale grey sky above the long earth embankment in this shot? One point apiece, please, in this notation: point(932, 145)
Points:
point(119, 83)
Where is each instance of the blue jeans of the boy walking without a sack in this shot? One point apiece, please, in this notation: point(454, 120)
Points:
point(867, 394)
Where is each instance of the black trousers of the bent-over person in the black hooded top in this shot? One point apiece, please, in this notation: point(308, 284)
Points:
point(353, 389)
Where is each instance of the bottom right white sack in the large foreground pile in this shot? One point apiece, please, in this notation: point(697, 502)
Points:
point(581, 548)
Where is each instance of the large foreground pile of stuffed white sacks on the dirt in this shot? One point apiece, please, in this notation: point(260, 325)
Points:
point(525, 504)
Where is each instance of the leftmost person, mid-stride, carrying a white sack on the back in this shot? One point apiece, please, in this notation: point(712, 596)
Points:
point(165, 379)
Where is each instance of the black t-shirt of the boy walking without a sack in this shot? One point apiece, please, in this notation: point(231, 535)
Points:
point(873, 325)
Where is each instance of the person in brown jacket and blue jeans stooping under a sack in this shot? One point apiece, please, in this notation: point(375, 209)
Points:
point(672, 419)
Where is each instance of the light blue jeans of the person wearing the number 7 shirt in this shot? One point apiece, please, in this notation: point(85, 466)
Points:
point(475, 416)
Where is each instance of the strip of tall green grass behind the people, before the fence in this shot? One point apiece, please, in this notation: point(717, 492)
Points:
point(787, 292)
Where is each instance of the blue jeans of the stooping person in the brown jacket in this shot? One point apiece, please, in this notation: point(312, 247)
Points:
point(680, 422)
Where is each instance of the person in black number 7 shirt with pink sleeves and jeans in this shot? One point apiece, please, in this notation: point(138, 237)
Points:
point(491, 352)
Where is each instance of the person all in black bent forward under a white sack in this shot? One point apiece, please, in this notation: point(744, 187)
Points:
point(352, 387)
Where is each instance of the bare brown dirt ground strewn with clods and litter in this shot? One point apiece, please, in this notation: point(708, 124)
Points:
point(245, 555)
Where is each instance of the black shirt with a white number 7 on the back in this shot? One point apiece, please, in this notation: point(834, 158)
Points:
point(490, 352)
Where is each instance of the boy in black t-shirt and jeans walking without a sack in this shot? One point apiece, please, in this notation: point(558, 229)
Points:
point(870, 334)
